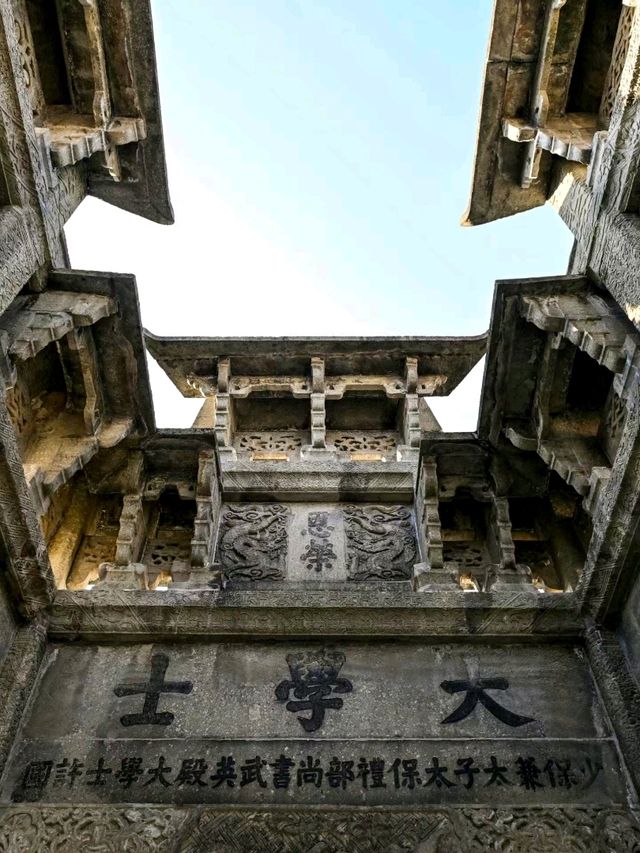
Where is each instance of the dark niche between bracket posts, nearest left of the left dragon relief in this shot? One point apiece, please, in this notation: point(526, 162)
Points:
point(170, 527)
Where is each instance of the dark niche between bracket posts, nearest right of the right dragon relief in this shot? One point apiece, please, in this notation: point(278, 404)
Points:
point(465, 524)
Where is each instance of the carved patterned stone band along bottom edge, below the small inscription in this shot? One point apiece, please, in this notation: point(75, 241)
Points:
point(140, 829)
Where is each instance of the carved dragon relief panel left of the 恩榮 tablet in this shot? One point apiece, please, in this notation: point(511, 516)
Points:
point(253, 541)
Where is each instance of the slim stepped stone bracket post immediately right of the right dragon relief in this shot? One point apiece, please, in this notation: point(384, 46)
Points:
point(430, 574)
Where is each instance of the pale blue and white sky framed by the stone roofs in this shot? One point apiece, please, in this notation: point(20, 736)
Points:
point(320, 156)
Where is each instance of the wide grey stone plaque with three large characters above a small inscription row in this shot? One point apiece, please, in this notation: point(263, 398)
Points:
point(350, 724)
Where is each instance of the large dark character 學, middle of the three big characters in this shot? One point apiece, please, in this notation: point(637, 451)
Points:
point(314, 676)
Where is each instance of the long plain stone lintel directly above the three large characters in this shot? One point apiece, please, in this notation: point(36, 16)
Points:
point(103, 614)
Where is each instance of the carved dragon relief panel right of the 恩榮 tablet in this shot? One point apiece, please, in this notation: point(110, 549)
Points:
point(381, 542)
